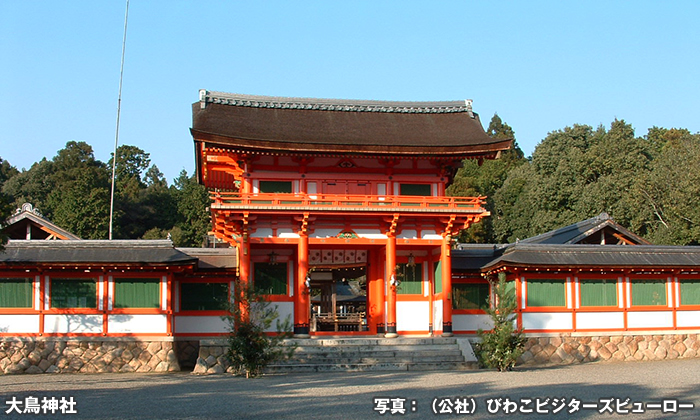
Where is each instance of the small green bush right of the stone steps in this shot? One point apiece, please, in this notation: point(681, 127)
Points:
point(501, 347)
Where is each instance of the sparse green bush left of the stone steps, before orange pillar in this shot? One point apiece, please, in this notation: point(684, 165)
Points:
point(250, 348)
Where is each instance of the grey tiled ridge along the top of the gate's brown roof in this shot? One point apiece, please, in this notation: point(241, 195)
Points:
point(347, 105)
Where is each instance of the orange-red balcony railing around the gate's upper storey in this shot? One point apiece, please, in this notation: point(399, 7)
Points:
point(292, 201)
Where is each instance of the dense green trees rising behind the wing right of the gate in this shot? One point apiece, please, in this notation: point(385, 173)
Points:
point(649, 184)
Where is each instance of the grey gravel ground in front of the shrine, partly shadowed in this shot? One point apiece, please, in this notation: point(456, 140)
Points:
point(340, 395)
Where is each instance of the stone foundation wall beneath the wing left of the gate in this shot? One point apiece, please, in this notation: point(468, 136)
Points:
point(46, 355)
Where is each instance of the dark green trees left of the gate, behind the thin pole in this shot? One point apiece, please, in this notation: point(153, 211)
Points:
point(73, 190)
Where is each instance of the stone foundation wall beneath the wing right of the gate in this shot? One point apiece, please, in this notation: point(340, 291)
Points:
point(566, 349)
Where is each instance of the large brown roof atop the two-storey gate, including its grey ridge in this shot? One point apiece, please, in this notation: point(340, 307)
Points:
point(346, 126)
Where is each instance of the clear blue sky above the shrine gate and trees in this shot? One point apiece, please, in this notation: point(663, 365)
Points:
point(541, 65)
